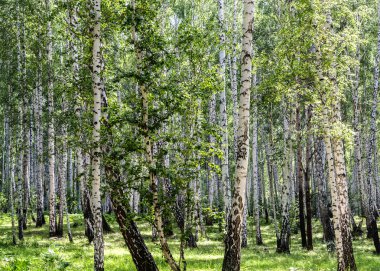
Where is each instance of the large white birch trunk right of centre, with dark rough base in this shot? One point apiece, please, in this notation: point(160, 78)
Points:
point(232, 254)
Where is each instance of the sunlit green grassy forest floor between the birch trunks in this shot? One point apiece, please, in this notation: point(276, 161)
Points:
point(39, 253)
